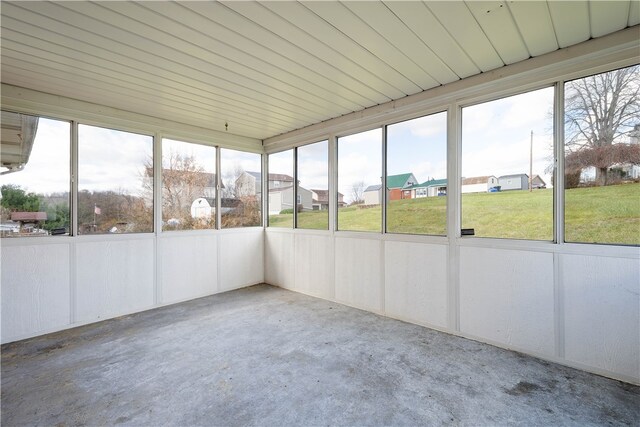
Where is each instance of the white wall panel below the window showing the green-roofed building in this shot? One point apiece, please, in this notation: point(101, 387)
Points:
point(416, 282)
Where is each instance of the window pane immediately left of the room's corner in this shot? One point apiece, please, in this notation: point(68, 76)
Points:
point(241, 188)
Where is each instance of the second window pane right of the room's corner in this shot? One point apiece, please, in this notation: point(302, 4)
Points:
point(313, 186)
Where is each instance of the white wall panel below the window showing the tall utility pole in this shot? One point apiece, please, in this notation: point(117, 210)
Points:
point(507, 296)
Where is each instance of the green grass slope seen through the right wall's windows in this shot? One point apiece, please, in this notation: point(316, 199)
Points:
point(593, 215)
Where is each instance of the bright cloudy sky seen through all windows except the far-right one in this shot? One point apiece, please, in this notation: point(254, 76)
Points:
point(495, 141)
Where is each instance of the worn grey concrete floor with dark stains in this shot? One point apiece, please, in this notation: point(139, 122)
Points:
point(267, 356)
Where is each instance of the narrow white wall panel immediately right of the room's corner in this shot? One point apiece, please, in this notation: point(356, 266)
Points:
point(279, 259)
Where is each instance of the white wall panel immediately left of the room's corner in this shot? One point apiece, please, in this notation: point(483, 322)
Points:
point(240, 258)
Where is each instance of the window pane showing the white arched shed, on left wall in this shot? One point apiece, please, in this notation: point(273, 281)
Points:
point(188, 186)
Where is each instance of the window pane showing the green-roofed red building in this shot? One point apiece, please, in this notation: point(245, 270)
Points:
point(417, 176)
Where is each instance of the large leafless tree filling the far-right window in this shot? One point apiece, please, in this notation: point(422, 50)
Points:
point(600, 112)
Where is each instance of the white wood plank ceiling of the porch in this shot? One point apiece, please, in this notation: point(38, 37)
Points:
point(267, 68)
